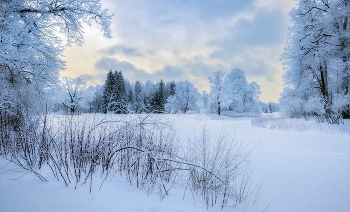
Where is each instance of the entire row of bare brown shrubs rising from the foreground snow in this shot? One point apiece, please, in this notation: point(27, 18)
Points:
point(140, 147)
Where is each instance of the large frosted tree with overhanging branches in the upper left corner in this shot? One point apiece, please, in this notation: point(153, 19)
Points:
point(31, 47)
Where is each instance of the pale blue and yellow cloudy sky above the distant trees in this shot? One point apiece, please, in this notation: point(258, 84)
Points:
point(178, 40)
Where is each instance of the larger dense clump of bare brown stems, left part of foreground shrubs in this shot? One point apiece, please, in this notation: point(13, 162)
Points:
point(76, 148)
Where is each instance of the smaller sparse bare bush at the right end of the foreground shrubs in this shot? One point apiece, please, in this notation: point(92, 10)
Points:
point(219, 175)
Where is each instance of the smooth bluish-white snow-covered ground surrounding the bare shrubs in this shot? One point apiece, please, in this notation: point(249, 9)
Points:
point(301, 172)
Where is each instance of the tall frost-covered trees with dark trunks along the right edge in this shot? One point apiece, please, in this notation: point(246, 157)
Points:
point(316, 60)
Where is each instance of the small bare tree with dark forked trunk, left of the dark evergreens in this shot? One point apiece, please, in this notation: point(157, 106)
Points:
point(74, 88)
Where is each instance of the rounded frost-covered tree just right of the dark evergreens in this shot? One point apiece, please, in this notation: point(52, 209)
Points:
point(184, 100)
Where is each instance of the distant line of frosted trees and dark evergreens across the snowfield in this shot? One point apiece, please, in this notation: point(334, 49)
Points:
point(118, 95)
